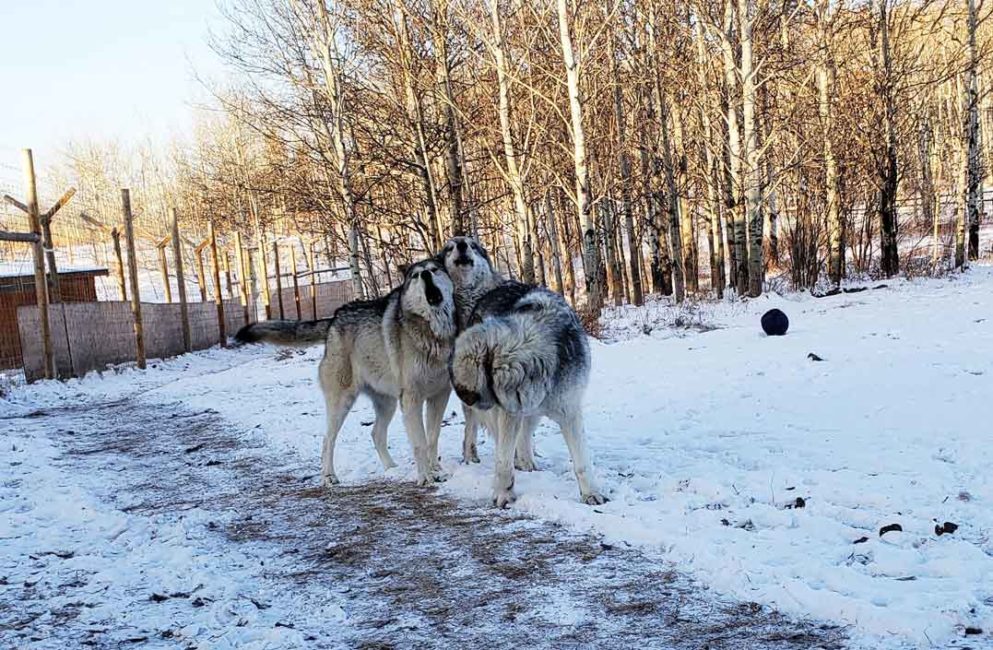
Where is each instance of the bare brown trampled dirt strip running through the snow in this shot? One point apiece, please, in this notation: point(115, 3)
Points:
point(414, 569)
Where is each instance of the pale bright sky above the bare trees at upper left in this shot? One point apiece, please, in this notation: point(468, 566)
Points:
point(117, 69)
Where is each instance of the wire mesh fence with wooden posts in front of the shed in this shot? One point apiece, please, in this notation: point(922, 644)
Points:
point(92, 322)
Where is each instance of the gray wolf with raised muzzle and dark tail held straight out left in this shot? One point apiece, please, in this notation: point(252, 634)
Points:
point(394, 348)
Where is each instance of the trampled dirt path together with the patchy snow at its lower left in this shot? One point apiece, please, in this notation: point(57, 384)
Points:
point(194, 535)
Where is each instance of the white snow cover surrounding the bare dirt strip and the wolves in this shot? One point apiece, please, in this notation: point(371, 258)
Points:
point(735, 458)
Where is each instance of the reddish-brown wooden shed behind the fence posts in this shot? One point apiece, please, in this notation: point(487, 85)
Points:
point(17, 289)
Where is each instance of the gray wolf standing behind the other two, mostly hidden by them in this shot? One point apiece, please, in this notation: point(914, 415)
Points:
point(469, 266)
